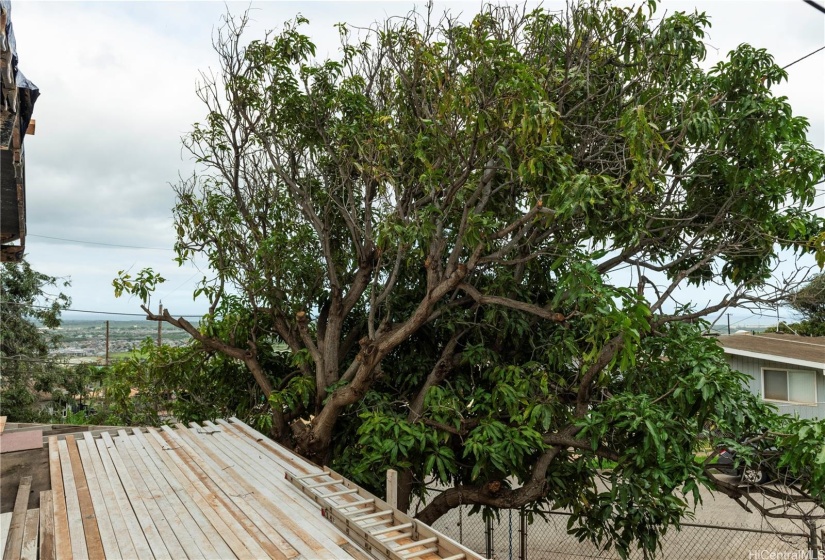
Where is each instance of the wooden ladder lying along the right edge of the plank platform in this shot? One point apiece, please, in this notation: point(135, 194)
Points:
point(380, 529)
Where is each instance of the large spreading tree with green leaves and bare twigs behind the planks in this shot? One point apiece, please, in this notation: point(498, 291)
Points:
point(469, 236)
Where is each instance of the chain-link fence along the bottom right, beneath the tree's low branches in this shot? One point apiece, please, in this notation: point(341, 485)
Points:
point(511, 537)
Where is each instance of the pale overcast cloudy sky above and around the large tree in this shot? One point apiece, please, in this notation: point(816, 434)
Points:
point(118, 80)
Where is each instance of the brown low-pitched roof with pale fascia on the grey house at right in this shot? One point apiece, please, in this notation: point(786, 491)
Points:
point(806, 351)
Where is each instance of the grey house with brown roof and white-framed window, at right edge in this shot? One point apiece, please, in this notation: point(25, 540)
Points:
point(786, 370)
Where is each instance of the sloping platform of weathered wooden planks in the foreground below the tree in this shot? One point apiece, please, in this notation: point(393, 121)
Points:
point(212, 491)
